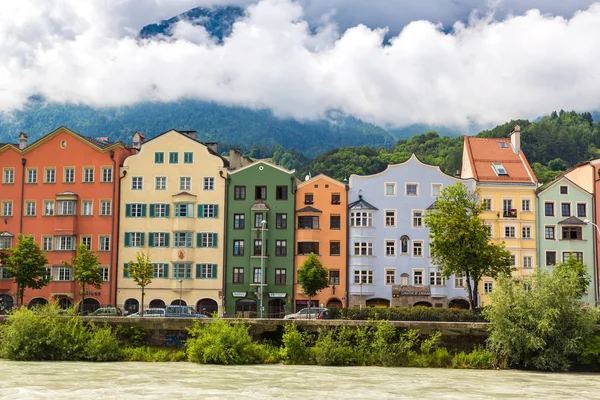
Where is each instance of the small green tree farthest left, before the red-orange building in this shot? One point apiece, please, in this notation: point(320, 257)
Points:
point(26, 264)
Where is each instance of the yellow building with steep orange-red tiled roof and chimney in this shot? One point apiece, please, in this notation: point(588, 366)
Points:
point(506, 185)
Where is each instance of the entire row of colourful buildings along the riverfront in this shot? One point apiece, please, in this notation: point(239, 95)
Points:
point(227, 234)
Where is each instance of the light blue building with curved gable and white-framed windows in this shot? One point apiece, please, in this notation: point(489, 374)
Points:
point(389, 263)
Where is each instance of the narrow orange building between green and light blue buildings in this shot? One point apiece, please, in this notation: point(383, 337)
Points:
point(321, 228)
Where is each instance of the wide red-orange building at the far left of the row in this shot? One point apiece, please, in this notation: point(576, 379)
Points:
point(63, 190)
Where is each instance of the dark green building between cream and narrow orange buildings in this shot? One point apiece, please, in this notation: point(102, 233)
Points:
point(260, 192)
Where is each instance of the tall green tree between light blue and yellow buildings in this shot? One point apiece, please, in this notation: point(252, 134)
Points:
point(460, 241)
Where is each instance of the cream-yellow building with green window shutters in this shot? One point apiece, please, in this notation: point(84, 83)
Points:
point(173, 207)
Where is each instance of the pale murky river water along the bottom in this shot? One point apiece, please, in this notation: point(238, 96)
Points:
point(71, 380)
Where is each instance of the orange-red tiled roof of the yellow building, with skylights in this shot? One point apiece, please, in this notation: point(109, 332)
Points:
point(483, 152)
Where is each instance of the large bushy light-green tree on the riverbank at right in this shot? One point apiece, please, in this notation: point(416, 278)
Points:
point(538, 322)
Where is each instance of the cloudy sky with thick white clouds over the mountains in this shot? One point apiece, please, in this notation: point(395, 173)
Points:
point(449, 62)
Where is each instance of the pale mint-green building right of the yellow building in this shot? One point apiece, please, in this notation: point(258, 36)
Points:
point(563, 209)
